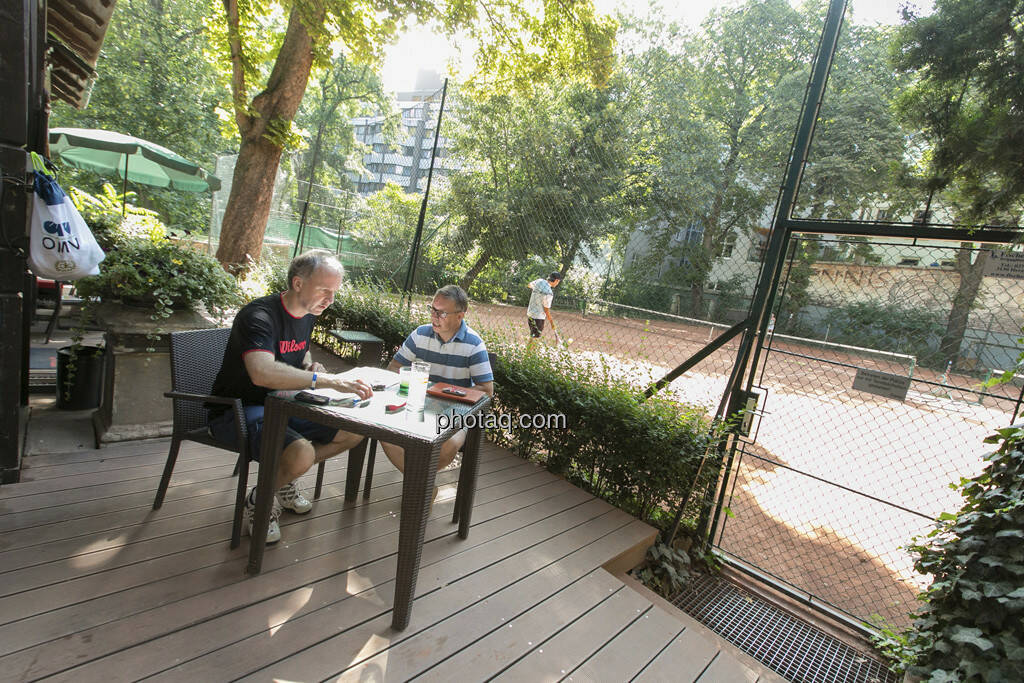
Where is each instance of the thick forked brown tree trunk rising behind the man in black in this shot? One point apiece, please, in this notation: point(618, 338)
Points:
point(260, 154)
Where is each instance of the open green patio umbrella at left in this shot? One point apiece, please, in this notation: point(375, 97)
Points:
point(130, 158)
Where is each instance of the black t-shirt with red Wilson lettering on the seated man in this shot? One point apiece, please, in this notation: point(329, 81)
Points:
point(263, 325)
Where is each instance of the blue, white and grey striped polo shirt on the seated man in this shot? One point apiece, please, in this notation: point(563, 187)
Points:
point(461, 361)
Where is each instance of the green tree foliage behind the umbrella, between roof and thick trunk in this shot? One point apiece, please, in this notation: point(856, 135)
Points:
point(158, 80)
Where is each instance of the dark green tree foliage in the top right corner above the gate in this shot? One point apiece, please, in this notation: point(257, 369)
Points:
point(967, 58)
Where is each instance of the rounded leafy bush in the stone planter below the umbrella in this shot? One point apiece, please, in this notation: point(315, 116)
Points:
point(163, 275)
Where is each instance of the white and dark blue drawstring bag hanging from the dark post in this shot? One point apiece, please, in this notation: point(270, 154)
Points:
point(62, 246)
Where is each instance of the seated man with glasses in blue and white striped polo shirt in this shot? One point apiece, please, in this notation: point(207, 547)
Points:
point(456, 354)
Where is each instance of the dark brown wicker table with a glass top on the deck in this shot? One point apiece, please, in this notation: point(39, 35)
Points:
point(416, 433)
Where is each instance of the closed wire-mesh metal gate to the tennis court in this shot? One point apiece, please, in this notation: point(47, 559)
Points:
point(873, 404)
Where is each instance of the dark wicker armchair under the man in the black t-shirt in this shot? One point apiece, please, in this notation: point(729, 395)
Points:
point(196, 359)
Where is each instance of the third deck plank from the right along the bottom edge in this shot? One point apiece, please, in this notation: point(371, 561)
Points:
point(632, 650)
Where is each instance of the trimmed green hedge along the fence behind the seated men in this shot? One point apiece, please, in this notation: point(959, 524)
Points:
point(642, 457)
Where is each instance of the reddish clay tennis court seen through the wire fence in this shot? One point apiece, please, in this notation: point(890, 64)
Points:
point(835, 482)
